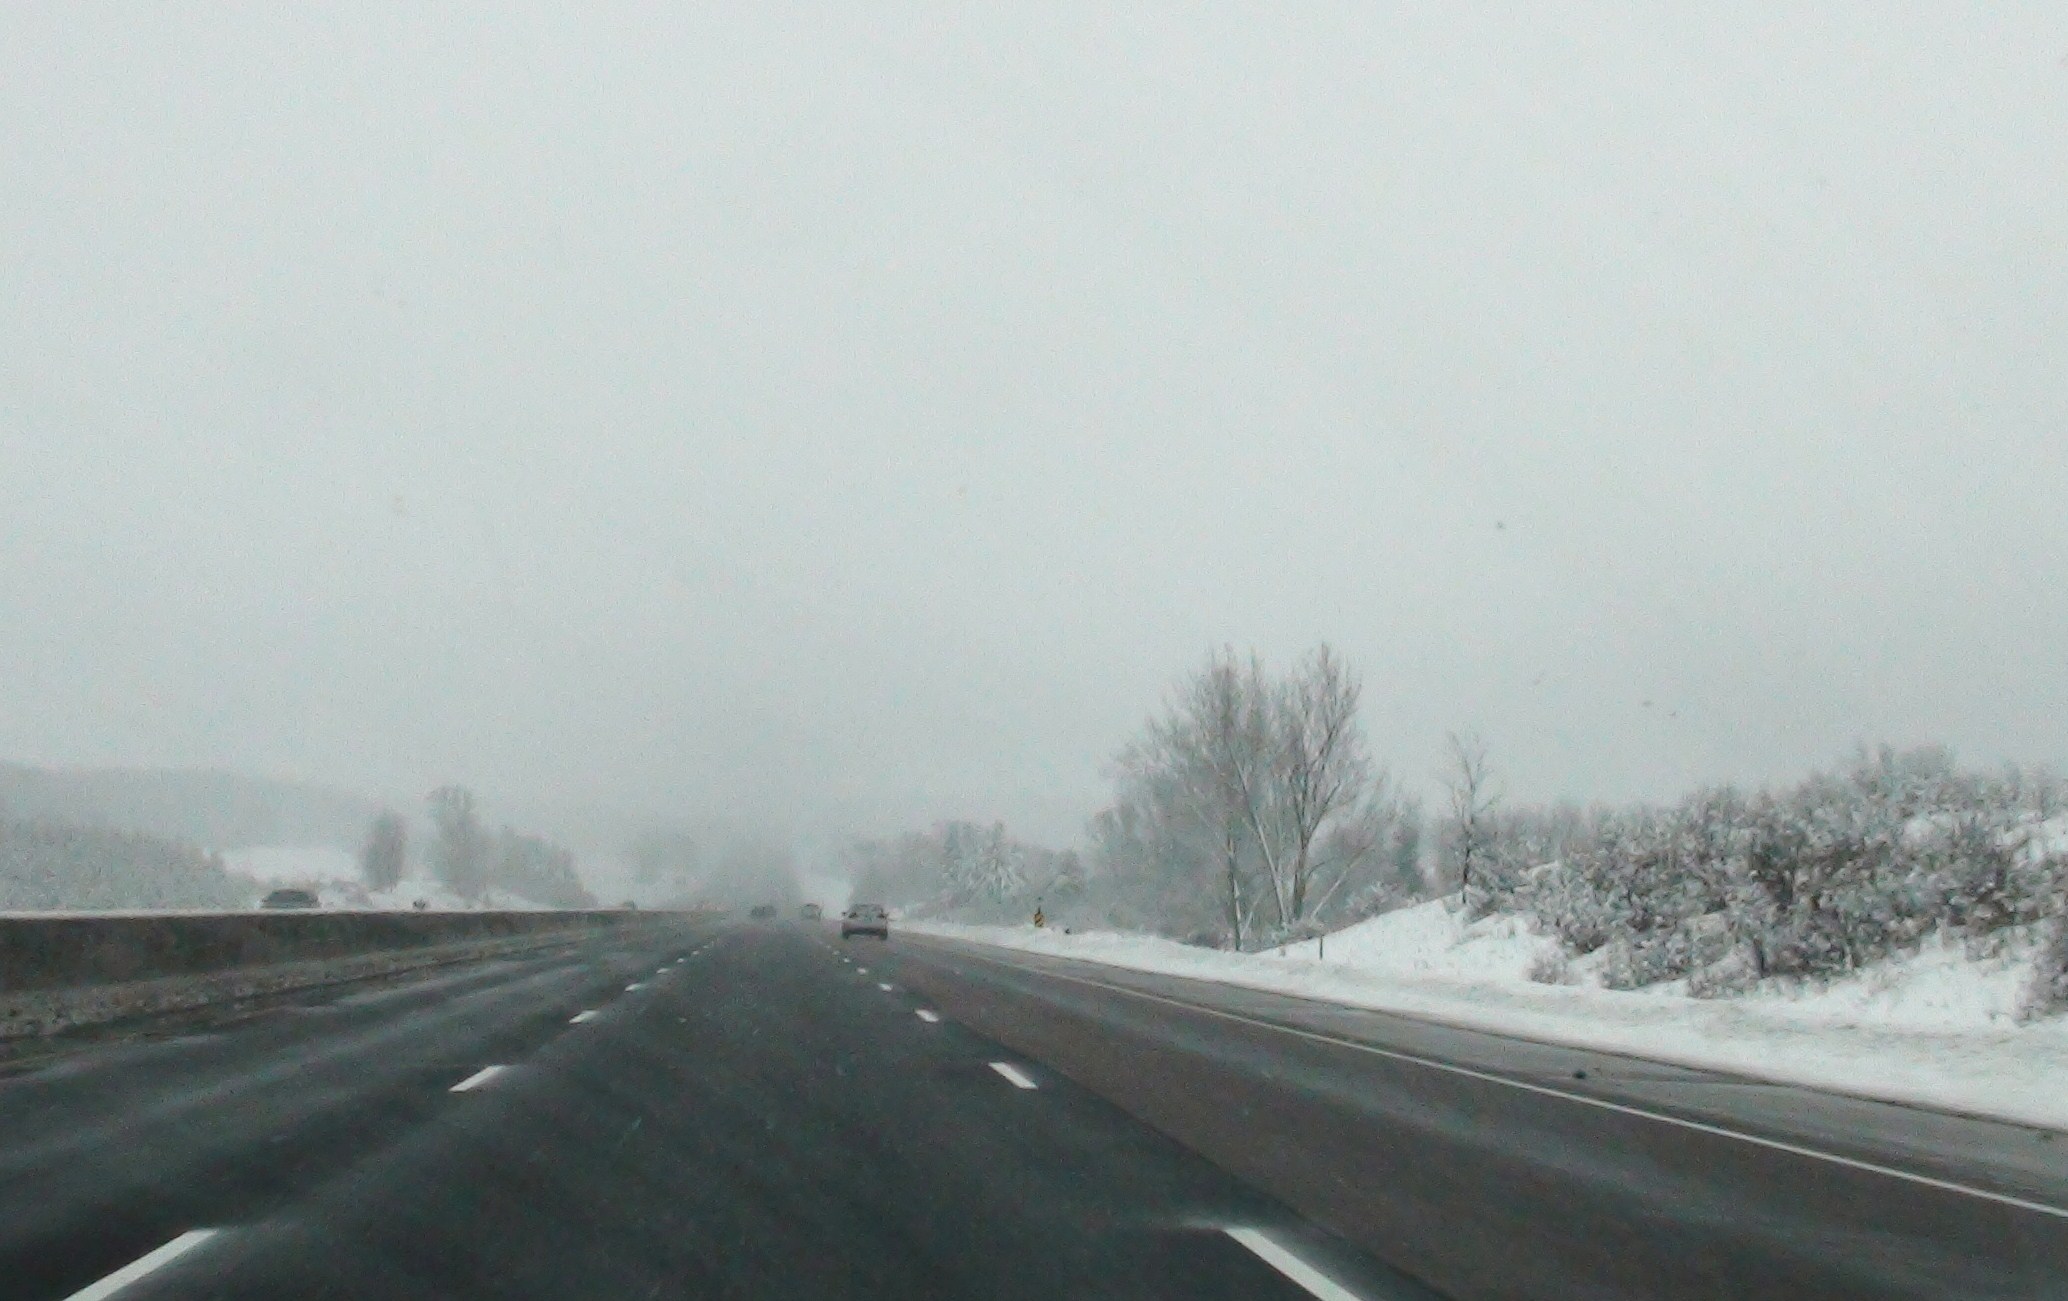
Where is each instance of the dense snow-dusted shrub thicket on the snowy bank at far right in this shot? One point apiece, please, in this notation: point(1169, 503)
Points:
point(1804, 882)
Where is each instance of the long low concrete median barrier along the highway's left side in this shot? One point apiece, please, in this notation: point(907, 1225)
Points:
point(67, 971)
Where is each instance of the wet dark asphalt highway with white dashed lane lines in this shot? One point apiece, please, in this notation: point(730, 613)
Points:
point(768, 1112)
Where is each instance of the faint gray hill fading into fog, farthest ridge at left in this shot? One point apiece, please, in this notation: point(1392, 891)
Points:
point(214, 810)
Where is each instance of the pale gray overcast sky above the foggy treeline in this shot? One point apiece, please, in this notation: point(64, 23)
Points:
point(868, 411)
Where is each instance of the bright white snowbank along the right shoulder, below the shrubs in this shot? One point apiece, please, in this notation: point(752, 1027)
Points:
point(1933, 1029)
